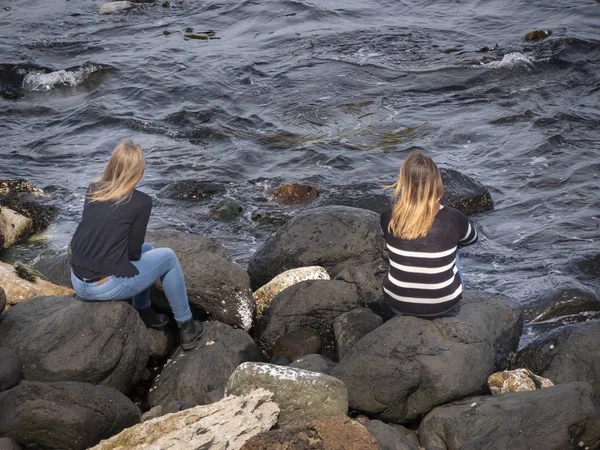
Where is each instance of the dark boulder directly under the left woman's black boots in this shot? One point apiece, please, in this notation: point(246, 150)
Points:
point(198, 376)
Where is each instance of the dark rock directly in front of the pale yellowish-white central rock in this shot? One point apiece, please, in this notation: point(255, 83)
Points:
point(310, 304)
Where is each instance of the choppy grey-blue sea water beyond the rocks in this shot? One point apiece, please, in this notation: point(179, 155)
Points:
point(330, 93)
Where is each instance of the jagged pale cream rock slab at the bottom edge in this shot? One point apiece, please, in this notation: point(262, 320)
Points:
point(225, 425)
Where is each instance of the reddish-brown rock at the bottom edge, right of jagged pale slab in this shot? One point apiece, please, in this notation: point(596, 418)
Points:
point(332, 433)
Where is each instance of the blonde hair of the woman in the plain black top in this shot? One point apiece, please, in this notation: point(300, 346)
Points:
point(122, 173)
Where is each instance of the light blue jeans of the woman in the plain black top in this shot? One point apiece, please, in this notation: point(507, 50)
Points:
point(153, 264)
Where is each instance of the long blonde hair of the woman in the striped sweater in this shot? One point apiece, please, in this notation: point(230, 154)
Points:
point(417, 194)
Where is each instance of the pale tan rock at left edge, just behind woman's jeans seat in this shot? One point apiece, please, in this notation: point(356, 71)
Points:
point(17, 289)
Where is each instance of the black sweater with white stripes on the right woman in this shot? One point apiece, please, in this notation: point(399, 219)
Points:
point(423, 278)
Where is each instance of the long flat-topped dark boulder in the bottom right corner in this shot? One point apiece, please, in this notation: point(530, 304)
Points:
point(560, 417)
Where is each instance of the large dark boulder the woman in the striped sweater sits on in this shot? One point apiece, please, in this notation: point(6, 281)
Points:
point(409, 365)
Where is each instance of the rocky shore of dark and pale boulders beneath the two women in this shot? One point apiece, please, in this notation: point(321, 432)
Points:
point(322, 364)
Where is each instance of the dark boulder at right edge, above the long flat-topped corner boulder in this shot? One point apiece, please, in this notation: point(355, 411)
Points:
point(567, 354)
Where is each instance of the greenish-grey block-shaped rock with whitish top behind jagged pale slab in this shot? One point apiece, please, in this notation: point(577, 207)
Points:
point(302, 396)
